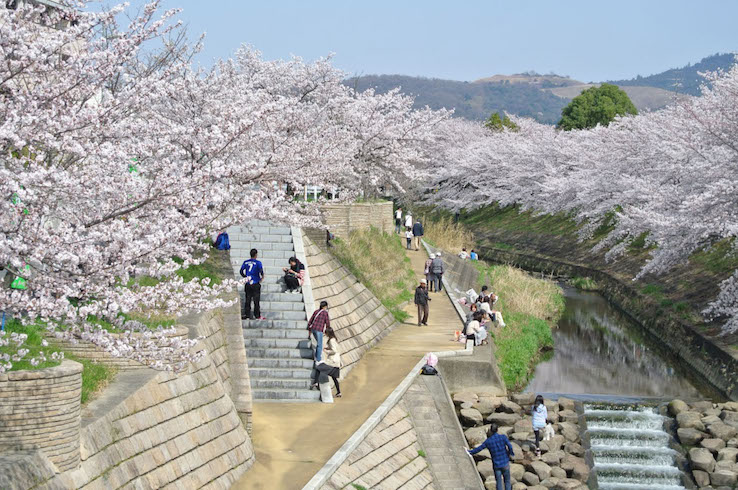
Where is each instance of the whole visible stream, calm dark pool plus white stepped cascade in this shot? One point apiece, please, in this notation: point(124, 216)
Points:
point(604, 358)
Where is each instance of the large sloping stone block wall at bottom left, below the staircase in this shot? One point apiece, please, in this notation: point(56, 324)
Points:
point(174, 430)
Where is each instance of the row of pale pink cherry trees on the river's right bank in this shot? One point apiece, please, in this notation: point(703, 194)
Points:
point(671, 175)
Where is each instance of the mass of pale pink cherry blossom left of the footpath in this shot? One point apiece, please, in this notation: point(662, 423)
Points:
point(112, 169)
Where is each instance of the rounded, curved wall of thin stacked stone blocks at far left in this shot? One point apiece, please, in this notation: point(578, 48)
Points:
point(41, 409)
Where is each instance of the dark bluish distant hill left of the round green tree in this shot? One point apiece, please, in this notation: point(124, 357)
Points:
point(471, 100)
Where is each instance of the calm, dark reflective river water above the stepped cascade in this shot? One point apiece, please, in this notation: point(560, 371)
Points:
point(597, 350)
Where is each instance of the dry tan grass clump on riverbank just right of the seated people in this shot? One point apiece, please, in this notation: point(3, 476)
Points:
point(520, 292)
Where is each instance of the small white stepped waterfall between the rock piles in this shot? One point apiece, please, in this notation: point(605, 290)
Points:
point(631, 449)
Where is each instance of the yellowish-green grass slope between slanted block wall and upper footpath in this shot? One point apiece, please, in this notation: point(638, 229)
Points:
point(379, 262)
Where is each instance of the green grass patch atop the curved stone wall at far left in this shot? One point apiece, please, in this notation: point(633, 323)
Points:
point(94, 375)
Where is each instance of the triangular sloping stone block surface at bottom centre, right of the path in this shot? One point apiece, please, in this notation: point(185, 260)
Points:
point(388, 458)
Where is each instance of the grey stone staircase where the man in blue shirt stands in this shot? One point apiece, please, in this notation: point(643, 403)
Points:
point(277, 349)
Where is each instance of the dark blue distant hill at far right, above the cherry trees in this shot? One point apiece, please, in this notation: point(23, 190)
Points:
point(684, 80)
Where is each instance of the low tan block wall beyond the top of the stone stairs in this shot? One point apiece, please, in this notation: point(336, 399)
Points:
point(343, 218)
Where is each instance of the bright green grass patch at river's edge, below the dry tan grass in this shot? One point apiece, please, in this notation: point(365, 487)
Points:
point(519, 347)
